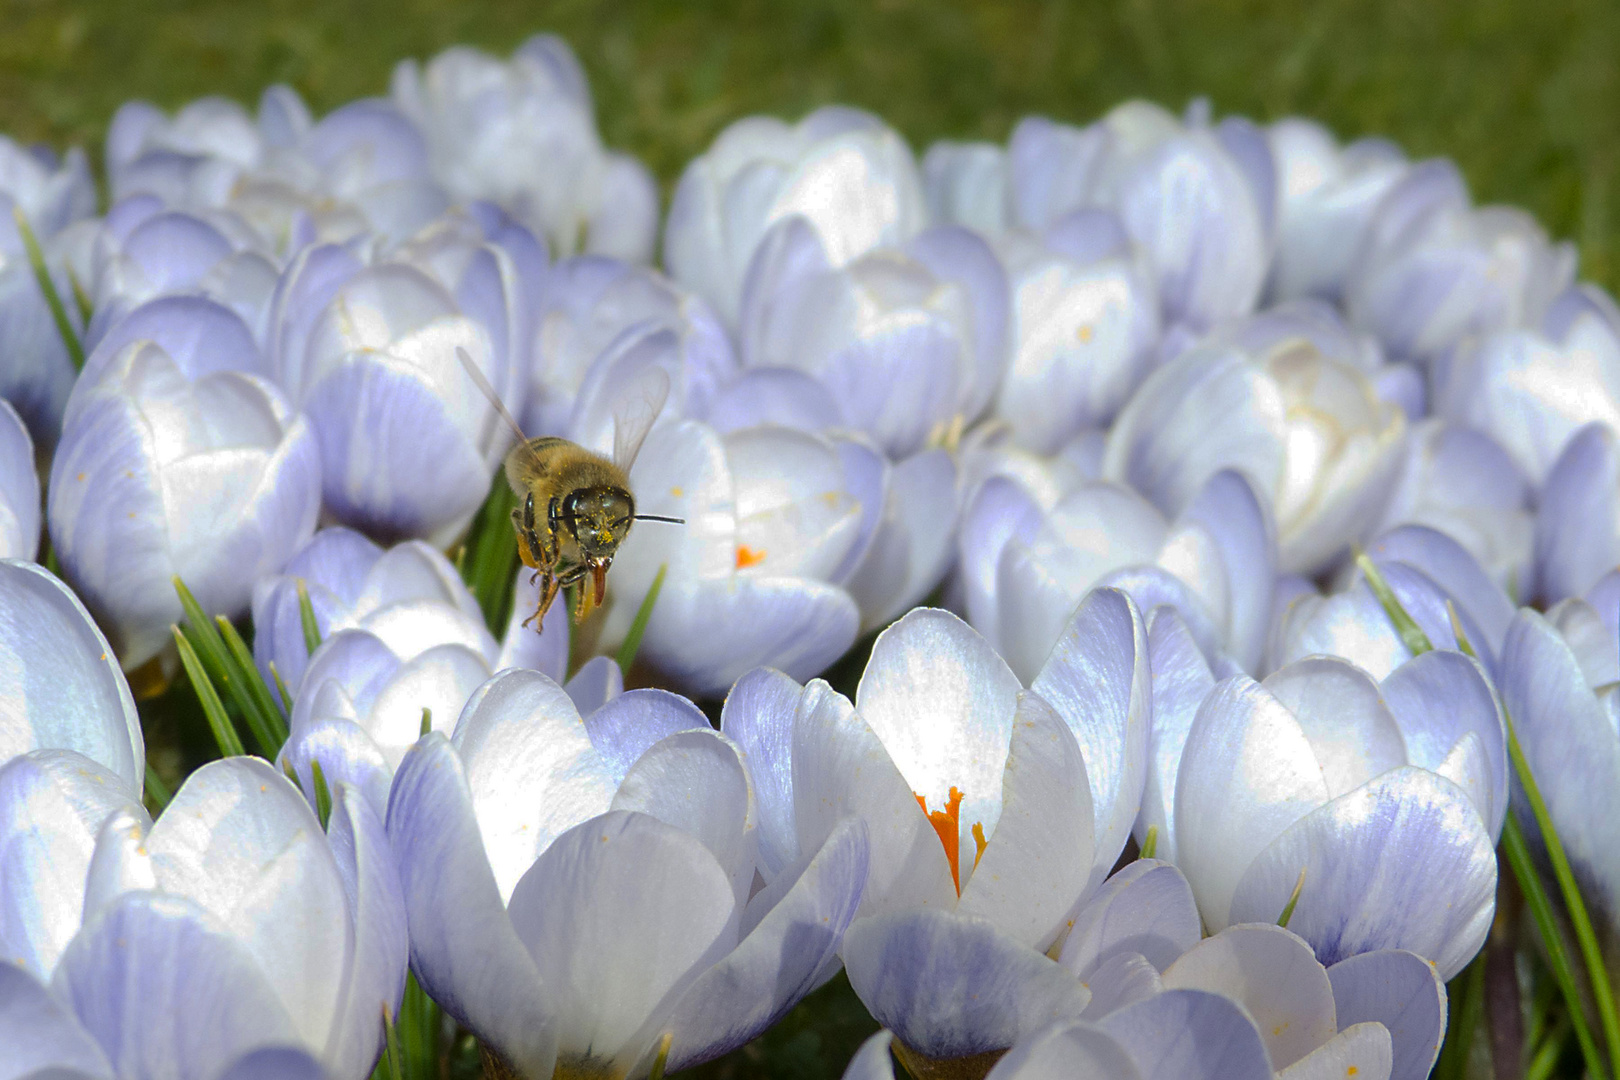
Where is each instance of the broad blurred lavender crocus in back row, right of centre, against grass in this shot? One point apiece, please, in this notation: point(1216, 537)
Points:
point(1196, 200)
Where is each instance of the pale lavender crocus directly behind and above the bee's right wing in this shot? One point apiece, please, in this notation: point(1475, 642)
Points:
point(597, 308)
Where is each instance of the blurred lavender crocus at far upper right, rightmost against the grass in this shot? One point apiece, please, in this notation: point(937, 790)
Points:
point(1436, 271)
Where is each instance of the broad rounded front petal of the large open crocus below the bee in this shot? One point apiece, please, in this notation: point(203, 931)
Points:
point(605, 958)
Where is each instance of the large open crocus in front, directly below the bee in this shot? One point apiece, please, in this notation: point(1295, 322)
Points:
point(581, 911)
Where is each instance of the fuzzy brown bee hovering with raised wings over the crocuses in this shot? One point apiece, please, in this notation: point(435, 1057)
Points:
point(576, 504)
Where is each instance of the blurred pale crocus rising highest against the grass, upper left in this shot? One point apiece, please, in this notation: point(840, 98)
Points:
point(522, 134)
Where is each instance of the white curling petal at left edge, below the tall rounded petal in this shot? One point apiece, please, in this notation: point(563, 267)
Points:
point(53, 806)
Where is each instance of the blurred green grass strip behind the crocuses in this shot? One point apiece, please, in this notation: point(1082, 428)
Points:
point(1524, 95)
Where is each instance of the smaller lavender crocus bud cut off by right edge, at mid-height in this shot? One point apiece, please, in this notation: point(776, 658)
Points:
point(1579, 519)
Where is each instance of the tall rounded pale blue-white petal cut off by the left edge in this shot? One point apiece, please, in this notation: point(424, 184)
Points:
point(61, 684)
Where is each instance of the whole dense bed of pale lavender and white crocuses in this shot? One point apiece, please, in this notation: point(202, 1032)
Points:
point(1222, 511)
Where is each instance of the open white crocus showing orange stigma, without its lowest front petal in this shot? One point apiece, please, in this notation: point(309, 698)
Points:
point(981, 797)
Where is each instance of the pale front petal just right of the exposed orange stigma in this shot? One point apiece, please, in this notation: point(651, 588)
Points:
point(1034, 867)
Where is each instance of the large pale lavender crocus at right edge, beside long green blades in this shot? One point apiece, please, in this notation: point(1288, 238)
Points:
point(1559, 682)
